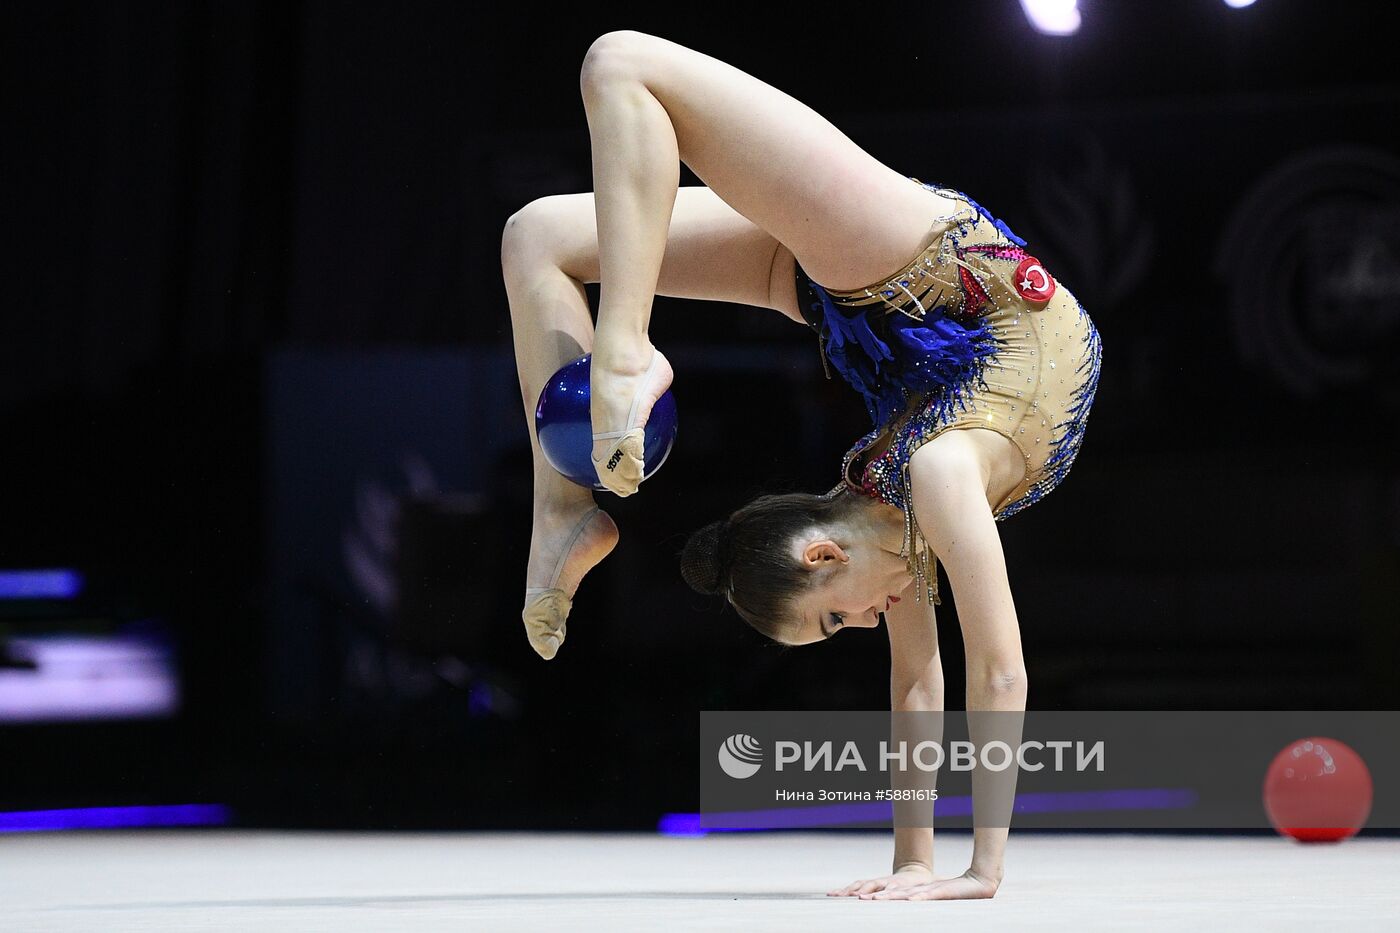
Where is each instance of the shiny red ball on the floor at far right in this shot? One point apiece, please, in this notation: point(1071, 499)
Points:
point(1318, 791)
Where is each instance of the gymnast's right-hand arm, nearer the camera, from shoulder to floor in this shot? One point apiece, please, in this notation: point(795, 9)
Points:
point(954, 515)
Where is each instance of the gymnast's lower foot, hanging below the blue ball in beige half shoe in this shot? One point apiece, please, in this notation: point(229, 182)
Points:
point(565, 546)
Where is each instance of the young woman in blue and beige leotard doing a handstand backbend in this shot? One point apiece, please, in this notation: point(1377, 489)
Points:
point(926, 305)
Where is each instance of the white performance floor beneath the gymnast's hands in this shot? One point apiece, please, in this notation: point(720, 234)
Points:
point(275, 882)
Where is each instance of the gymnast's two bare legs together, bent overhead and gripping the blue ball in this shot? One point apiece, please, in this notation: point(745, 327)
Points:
point(782, 181)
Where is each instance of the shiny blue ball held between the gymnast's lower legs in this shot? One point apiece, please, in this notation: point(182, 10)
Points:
point(565, 428)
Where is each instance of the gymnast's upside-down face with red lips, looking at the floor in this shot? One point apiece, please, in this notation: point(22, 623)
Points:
point(859, 582)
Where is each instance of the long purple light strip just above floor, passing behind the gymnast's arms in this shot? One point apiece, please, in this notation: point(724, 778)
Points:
point(698, 824)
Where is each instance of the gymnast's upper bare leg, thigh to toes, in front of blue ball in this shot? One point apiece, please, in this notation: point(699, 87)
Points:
point(652, 104)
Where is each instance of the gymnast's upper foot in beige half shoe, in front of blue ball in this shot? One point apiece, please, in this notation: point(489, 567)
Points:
point(624, 386)
